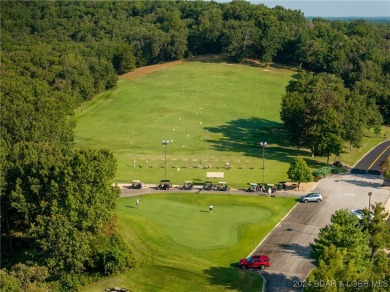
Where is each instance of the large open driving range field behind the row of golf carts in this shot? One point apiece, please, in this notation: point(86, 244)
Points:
point(212, 112)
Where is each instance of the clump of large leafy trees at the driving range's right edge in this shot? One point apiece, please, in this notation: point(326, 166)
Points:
point(320, 113)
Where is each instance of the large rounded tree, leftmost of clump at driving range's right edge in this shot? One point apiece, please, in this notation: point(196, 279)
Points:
point(318, 101)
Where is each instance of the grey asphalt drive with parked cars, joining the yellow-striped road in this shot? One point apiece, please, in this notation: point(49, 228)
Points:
point(288, 244)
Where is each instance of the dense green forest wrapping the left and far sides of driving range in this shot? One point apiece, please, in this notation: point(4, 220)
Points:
point(56, 55)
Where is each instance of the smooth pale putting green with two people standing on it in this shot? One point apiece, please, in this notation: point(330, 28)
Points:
point(192, 225)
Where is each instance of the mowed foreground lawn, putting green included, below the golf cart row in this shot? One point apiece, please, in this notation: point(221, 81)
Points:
point(182, 247)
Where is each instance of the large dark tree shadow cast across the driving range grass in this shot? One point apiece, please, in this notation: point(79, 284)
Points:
point(244, 135)
